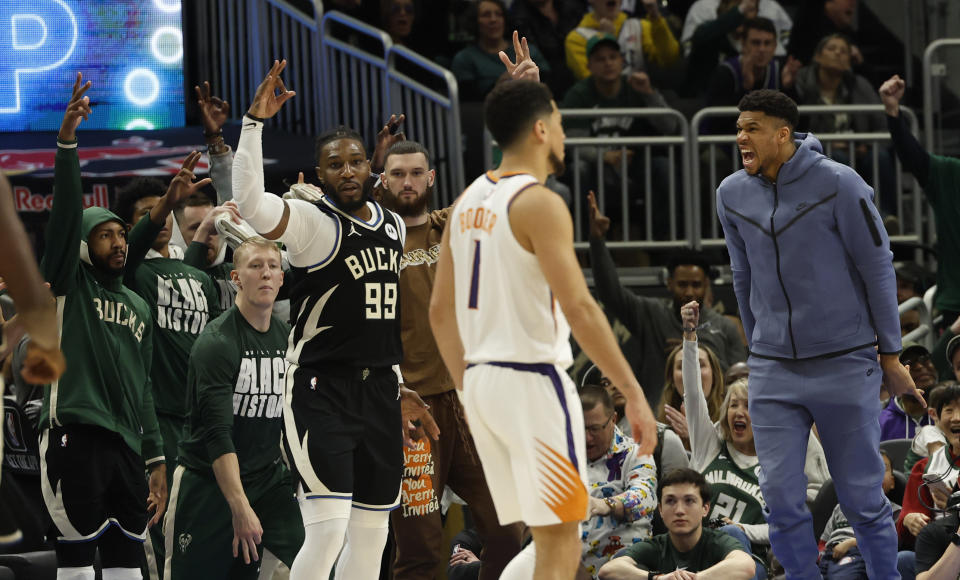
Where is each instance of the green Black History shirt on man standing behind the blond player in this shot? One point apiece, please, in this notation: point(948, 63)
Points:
point(182, 299)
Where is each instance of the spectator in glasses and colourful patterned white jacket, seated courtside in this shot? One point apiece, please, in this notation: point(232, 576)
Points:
point(621, 482)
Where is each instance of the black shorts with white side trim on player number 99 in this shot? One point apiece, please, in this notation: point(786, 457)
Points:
point(342, 434)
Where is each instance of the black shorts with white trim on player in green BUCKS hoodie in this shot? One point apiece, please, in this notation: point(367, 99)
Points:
point(91, 479)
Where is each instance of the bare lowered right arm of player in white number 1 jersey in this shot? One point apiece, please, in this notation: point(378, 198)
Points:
point(553, 247)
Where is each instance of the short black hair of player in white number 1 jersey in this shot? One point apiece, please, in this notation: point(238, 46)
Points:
point(512, 107)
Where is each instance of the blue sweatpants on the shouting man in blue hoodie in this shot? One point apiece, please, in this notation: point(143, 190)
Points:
point(840, 395)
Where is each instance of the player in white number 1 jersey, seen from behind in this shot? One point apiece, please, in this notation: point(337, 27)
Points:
point(507, 282)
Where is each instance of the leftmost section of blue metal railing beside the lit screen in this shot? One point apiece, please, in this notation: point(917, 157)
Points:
point(244, 36)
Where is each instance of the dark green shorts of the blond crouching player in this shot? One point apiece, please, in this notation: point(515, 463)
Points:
point(198, 527)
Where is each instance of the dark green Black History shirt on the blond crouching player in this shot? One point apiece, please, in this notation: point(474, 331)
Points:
point(235, 389)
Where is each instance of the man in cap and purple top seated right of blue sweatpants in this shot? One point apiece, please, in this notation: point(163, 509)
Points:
point(902, 416)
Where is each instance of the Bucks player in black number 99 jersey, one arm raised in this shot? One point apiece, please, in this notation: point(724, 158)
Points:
point(343, 412)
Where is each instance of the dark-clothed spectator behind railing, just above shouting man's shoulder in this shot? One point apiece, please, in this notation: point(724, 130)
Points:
point(830, 80)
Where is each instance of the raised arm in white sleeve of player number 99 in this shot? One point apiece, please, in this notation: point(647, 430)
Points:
point(268, 214)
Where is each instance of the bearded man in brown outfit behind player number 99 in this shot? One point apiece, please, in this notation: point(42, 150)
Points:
point(407, 187)
